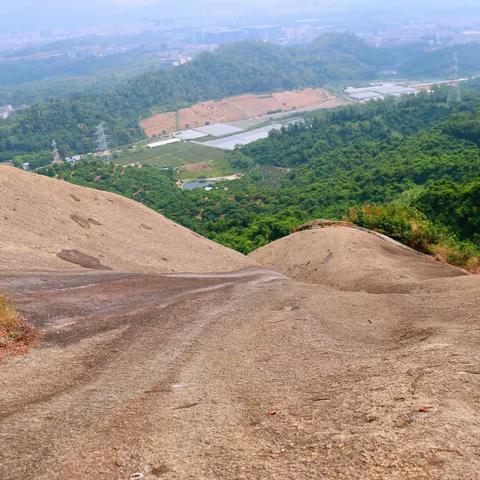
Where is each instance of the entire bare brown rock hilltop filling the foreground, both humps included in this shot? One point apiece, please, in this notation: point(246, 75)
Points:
point(330, 354)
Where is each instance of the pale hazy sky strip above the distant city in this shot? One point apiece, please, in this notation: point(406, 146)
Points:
point(28, 14)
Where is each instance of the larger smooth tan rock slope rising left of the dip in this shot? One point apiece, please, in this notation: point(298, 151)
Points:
point(48, 224)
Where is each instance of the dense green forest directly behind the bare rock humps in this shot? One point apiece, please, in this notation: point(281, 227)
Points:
point(407, 167)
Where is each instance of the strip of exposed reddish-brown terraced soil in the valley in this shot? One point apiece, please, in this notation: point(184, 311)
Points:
point(237, 108)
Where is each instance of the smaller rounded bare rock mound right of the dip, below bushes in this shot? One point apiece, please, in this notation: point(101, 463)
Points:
point(351, 259)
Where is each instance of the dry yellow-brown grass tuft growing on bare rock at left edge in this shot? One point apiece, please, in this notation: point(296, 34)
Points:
point(15, 333)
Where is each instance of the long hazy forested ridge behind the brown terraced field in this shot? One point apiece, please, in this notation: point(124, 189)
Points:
point(230, 70)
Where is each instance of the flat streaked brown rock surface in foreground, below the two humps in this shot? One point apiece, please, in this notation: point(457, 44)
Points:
point(241, 376)
